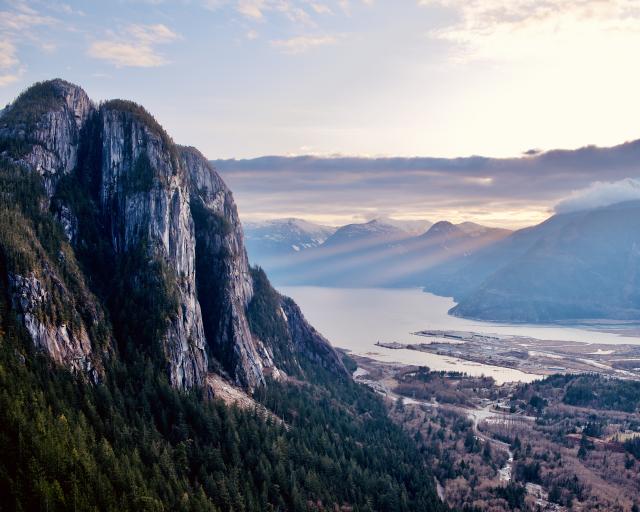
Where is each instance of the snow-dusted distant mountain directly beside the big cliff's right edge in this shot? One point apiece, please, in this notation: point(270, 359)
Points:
point(272, 239)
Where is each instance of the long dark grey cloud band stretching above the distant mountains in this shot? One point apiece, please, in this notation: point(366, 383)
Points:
point(511, 192)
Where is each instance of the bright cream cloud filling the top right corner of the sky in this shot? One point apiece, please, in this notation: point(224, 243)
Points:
point(517, 29)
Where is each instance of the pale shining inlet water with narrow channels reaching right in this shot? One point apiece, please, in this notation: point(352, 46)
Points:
point(356, 318)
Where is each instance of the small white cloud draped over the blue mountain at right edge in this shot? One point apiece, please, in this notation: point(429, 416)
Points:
point(599, 194)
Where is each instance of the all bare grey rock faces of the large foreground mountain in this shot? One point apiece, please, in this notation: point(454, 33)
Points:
point(167, 224)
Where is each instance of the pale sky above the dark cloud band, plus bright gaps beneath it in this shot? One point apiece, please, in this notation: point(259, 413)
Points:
point(360, 78)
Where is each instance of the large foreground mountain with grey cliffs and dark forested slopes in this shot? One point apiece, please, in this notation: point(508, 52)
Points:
point(144, 365)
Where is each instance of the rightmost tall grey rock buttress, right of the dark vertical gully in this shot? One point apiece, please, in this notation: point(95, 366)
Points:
point(221, 257)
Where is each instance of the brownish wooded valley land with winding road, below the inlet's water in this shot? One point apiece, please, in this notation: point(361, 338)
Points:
point(551, 445)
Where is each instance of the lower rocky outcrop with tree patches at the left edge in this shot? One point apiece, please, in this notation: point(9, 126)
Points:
point(45, 289)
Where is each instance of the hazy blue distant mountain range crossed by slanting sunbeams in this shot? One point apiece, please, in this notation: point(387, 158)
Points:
point(381, 252)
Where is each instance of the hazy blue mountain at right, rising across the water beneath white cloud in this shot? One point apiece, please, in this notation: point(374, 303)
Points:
point(578, 265)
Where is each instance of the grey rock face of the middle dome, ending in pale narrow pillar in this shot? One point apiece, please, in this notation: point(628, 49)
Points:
point(144, 199)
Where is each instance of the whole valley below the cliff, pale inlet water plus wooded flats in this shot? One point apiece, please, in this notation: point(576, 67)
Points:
point(509, 416)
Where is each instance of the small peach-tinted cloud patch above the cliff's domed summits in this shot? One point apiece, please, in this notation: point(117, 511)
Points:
point(134, 47)
